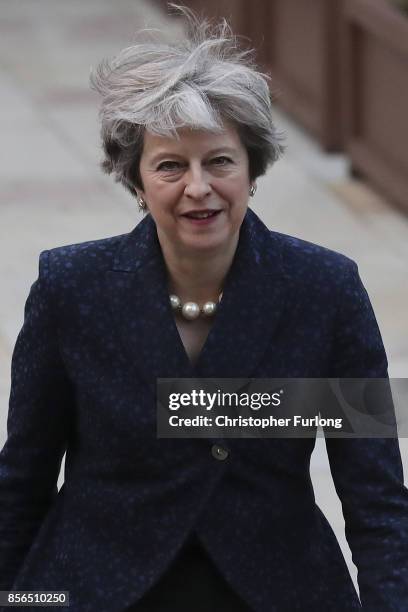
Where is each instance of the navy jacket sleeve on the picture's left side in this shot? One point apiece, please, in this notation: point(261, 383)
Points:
point(37, 426)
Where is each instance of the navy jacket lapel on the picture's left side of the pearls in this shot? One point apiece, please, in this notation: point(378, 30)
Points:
point(141, 309)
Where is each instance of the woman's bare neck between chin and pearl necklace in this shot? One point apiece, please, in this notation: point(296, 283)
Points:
point(198, 277)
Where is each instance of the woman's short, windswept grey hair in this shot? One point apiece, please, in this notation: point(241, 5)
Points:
point(196, 82)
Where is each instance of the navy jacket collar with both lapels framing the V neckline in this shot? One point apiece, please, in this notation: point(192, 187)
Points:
point(253, 299)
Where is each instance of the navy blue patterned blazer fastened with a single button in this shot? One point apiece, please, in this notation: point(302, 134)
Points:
point(98, 332)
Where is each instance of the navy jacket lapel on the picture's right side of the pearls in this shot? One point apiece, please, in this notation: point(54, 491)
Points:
point(251, 306)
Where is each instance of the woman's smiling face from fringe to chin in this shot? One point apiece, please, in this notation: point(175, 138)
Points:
point(198, 174)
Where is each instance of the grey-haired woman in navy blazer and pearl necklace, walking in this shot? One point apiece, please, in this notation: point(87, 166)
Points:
point(166, 524)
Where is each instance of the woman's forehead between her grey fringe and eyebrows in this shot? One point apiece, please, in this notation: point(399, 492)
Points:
point(191, 142)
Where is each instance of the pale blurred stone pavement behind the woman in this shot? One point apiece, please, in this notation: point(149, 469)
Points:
point(53, 192)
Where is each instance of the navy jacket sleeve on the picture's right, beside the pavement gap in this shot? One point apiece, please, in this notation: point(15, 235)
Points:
point(367, 473)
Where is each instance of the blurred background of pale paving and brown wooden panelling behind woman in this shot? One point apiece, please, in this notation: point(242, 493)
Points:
point(339, 74)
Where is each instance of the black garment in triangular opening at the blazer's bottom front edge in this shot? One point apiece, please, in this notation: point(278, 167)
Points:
point(192, 582)
